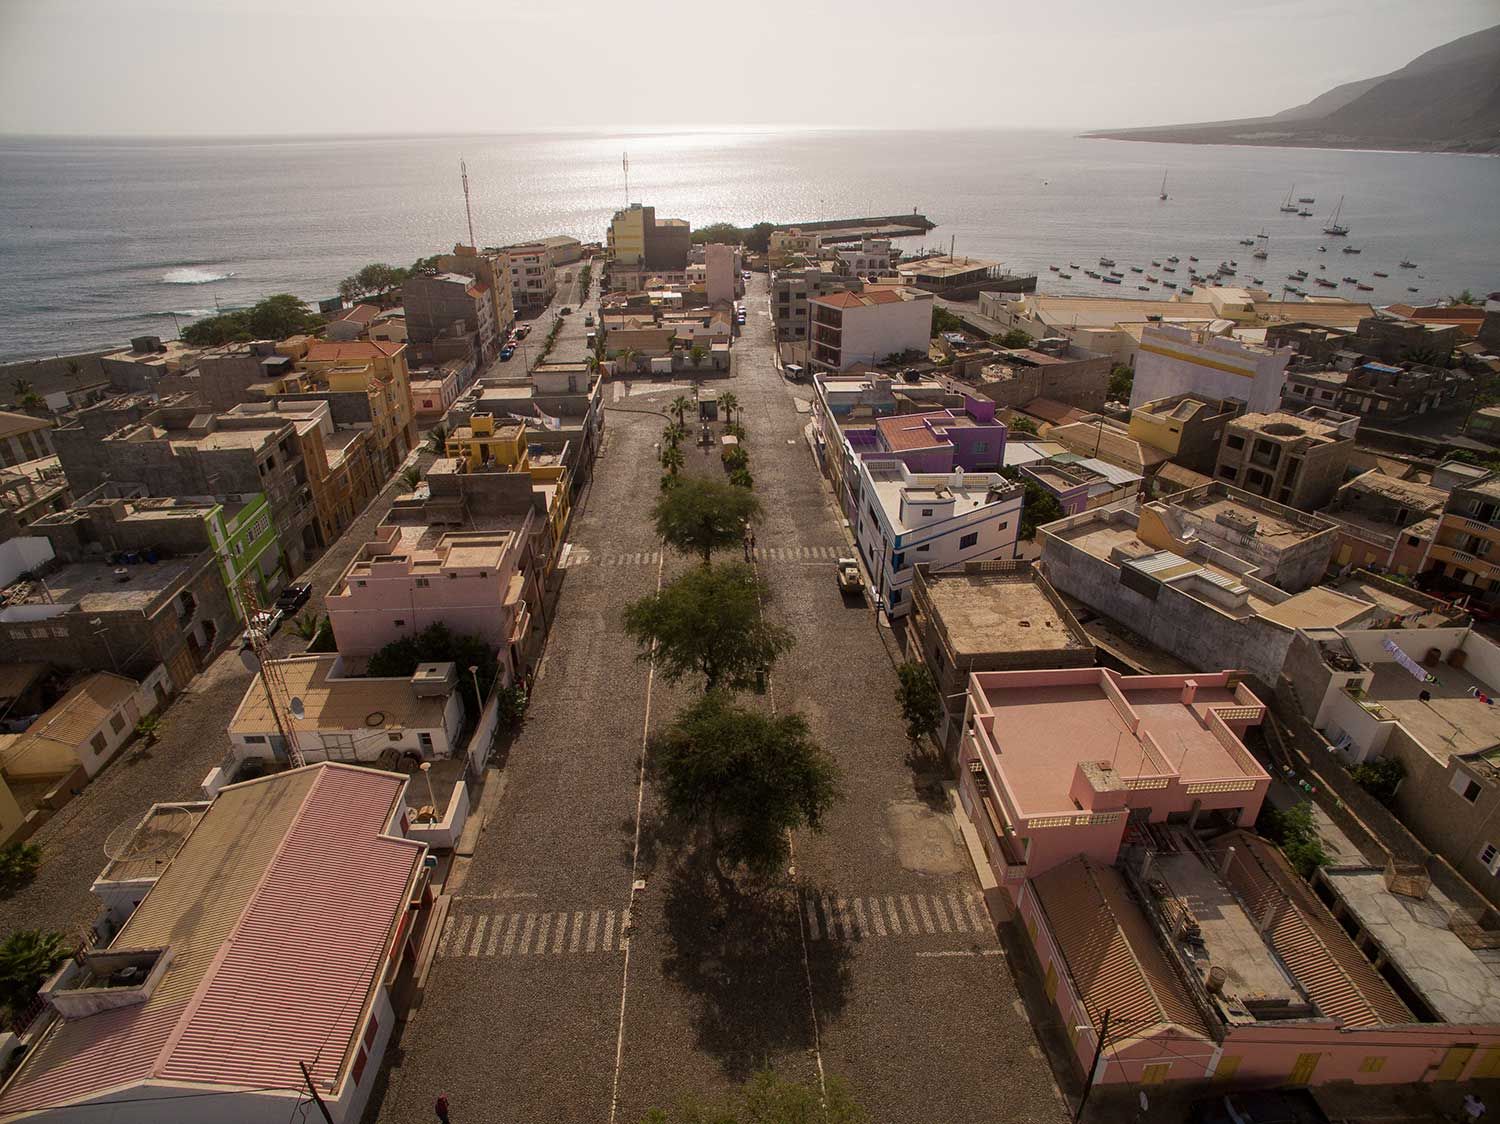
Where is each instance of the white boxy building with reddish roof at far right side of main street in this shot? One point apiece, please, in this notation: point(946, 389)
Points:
point(869, 326)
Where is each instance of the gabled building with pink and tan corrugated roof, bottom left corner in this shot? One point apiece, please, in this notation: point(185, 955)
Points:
point(197, 996)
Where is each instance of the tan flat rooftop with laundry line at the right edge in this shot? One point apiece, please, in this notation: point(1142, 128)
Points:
point(1451, 721)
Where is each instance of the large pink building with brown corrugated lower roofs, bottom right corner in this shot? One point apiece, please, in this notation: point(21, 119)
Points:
point(1114, 814)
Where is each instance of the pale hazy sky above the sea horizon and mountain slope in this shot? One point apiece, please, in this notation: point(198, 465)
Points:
point(401, 67)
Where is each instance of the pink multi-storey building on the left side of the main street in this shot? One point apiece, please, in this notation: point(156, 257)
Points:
point(413, 576)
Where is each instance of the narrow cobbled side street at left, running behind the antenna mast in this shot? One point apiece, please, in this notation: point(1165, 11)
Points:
point(191, 744)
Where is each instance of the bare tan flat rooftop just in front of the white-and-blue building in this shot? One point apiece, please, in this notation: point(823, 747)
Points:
point(1001, 613)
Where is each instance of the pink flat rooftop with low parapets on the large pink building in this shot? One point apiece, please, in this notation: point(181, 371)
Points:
point(1045, 733)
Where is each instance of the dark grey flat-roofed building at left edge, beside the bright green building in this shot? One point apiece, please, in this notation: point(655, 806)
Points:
point(127, 615)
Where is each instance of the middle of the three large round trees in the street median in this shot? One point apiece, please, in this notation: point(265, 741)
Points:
point(709, 624)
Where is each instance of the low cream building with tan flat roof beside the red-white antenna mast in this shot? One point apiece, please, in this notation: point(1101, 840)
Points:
point(346, 718)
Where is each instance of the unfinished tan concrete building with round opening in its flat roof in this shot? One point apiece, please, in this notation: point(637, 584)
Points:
point(1295, 460)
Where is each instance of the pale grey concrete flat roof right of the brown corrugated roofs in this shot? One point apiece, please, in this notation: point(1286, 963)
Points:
point(1460, 984)
